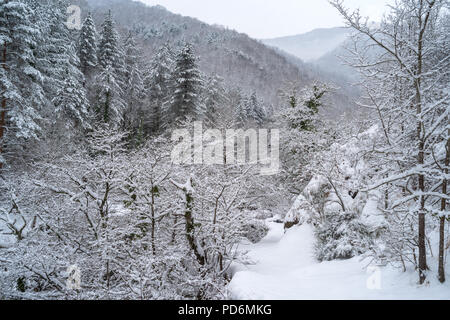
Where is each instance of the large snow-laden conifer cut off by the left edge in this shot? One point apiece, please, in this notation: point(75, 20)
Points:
point(20, 80)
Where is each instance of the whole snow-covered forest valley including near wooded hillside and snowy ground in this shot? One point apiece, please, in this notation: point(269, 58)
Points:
point(92, 205)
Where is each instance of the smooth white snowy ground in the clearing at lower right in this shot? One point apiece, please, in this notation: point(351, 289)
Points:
point(284, 268)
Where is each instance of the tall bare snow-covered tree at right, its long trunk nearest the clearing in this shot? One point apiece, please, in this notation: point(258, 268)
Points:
point(400, 79)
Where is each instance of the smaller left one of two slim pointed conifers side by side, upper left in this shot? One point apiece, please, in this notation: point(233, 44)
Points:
point(87, 45)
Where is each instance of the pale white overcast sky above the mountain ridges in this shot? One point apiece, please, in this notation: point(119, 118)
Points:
point(270, 18)
